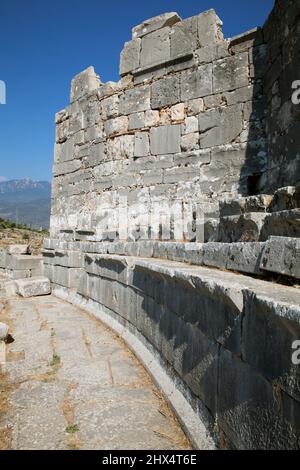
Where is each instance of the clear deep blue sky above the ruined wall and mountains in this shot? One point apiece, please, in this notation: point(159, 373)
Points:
point(44, 43)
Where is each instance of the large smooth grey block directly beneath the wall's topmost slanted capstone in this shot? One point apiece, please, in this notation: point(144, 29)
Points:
point(156, 48)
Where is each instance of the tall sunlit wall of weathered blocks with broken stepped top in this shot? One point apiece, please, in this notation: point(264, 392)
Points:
point(174, 136)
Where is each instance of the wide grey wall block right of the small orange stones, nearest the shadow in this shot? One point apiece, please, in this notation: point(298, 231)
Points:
point(220, 126)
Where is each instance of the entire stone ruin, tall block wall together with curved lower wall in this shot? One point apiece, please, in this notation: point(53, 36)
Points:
point(175, 218)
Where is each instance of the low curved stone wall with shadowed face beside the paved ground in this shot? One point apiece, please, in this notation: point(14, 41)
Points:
point(205, 326)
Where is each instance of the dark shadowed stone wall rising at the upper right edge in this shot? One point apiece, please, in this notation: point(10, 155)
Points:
point(282, 33)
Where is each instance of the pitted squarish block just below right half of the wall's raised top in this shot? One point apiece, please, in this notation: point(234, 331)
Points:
point(196, 83)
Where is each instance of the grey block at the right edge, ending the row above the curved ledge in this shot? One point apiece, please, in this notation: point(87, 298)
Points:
point(282, 255)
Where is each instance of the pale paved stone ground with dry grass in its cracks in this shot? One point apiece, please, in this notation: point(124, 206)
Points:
point(70, 383)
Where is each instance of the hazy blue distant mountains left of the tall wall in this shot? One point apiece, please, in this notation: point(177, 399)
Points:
point(26, 201)
